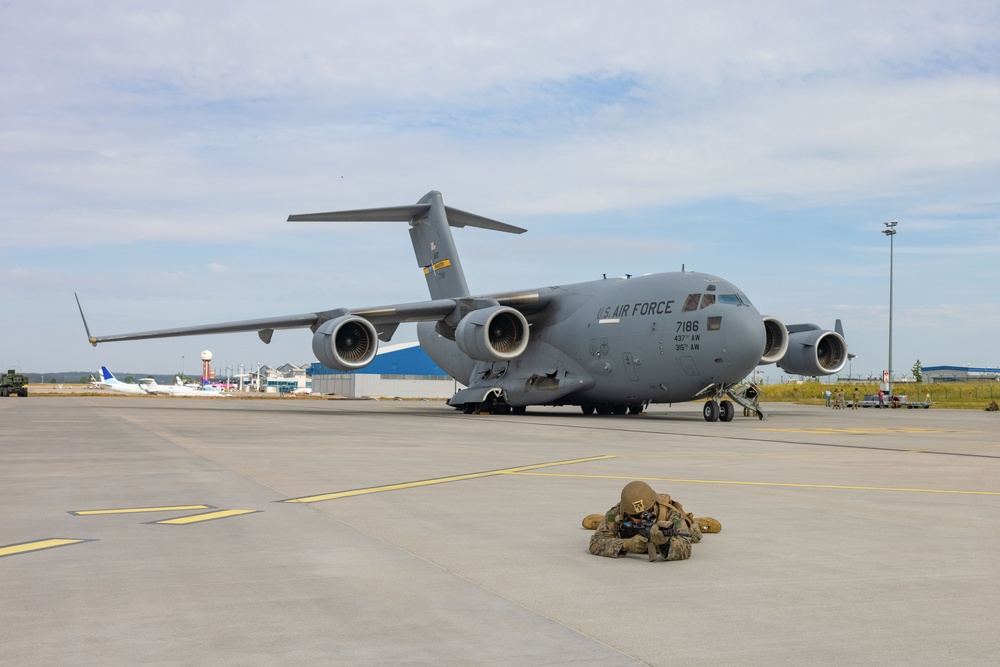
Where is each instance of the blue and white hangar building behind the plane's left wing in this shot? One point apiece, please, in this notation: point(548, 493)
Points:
point(398, 371)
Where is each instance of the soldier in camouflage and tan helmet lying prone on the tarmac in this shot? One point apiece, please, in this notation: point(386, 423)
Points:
point(645, 522)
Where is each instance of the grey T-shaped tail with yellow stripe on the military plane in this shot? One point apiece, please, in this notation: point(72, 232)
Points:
point(433, 244)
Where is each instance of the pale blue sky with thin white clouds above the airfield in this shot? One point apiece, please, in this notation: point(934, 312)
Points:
point(151, 152)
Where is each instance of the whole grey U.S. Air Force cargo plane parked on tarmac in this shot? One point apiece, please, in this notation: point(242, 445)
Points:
point(610, 346)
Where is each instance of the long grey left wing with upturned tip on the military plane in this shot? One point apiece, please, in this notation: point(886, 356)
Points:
point(385, 316)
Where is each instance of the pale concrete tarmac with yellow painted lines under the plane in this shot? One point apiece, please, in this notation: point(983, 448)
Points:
point(159, 531)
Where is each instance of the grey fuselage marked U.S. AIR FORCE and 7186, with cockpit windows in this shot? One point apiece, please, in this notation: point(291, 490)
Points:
point(657, 338)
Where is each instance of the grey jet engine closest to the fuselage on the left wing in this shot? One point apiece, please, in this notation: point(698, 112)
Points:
point(491, 334)
